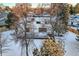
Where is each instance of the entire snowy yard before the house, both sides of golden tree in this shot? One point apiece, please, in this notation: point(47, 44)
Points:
point(71, 45)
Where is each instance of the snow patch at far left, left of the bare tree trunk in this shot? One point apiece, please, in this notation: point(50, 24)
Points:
point(14, 49)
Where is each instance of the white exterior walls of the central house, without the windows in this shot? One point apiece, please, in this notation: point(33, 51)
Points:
point(35, 27)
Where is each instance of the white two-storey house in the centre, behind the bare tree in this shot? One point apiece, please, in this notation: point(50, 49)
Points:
point(38, 25)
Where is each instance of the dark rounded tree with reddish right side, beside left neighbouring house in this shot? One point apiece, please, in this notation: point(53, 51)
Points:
point(12, 18)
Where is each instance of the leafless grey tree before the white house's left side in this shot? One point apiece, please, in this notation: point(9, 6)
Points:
point(21, 33)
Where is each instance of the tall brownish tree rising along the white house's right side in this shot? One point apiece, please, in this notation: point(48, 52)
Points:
point(58, 24)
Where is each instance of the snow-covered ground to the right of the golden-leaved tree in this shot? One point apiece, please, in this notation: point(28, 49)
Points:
point(71, 45)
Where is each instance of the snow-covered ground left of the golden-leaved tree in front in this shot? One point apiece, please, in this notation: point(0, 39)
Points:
point(15, 49)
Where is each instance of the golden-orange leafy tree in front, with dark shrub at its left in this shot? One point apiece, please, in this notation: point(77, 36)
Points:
point(49, 48)
